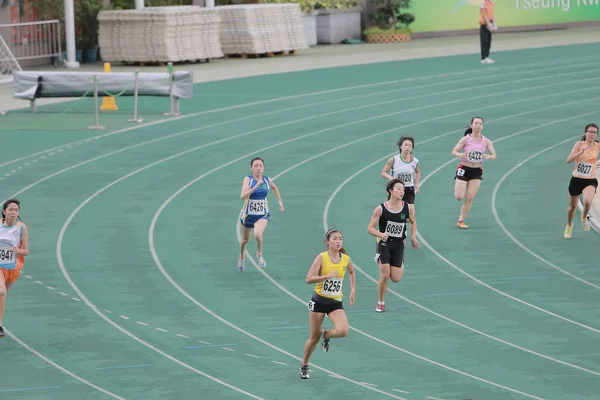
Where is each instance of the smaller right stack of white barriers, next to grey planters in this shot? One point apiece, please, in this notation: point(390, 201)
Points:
point(261, 28)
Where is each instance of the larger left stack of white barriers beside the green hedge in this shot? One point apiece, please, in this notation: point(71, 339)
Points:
point(160, 34)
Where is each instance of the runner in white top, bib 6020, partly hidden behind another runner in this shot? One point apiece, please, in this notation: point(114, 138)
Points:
point(406, 167)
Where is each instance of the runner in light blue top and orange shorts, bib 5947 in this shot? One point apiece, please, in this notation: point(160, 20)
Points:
point(14, 246)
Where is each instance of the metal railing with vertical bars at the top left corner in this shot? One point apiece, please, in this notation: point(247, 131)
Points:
point(30, 40)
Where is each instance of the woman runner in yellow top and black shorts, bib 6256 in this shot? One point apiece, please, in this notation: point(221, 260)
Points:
point(328, 271)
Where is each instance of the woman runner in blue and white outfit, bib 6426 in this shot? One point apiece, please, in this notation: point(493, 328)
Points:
point(255, 212)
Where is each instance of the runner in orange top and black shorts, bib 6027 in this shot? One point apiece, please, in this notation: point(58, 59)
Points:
point(583, 179)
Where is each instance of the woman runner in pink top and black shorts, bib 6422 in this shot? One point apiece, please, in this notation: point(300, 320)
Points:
point(469, 172)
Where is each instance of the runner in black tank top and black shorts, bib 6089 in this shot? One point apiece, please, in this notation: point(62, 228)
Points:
point(393, 217)
